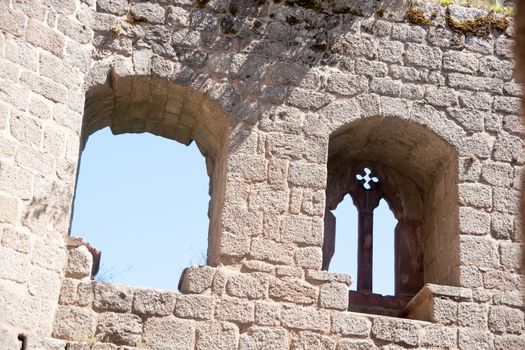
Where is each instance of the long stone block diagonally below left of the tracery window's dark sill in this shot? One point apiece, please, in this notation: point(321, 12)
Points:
point(305, 318)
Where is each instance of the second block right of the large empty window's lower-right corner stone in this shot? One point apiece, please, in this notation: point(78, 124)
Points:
point(251, 286)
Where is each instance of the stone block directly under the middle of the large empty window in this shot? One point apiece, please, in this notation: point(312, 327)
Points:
point(148, 302)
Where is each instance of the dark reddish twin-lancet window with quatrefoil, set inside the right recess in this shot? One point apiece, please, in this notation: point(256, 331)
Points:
point(369, 185)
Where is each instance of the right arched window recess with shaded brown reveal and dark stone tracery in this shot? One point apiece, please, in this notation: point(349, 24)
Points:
point(414, 171)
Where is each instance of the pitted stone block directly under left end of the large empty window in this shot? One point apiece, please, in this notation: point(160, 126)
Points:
point(109, 297)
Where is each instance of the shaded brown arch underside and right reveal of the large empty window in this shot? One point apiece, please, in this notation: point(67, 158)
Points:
point(138, 104)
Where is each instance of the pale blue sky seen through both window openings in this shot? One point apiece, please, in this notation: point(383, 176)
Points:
point(143, 200)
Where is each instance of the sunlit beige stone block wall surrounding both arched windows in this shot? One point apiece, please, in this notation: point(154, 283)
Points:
point(263, 87)
